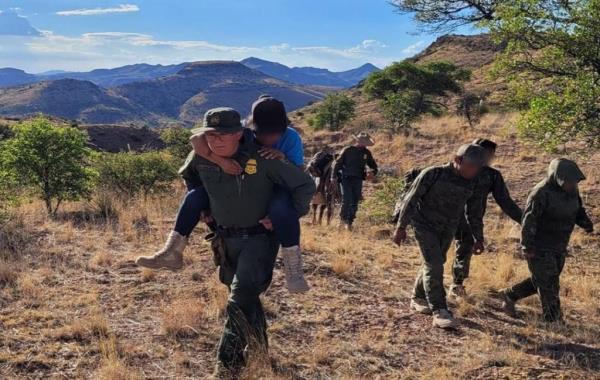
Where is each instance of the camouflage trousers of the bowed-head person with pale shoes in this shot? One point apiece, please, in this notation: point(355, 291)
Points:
point(429, 284)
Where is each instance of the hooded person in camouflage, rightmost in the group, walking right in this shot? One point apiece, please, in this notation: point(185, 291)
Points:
point(553, 209)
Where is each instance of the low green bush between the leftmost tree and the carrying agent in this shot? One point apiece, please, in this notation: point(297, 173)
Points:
point(130, 174)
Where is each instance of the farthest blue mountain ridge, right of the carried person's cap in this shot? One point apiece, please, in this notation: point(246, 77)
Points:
point(311, 75)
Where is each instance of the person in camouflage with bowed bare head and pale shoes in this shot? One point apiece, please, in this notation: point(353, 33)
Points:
point(433, 206)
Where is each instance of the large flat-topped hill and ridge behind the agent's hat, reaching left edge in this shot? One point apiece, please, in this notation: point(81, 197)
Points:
point(181, 96)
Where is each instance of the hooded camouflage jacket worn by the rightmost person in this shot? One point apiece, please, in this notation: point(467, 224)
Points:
point(552, 213)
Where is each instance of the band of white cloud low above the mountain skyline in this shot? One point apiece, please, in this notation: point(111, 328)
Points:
point(88, 51)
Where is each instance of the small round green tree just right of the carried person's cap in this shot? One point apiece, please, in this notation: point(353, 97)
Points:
point(335, 111)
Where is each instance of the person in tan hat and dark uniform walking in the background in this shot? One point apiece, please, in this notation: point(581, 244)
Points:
point(350, 171)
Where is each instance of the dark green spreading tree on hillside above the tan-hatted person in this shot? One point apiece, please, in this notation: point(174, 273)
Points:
point(407, 90)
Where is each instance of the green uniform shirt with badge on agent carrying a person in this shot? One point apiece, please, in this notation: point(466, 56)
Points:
point(241, 201)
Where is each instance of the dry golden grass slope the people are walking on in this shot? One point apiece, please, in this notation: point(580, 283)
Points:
point(74, 306)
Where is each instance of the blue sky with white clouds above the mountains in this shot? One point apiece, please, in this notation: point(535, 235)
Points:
point(39, 35)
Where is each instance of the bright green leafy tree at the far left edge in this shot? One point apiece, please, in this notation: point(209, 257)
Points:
point(51, 160)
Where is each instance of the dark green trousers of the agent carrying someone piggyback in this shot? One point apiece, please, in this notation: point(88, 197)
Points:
point(248, 273)
